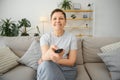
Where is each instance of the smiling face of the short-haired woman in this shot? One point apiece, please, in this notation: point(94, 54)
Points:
point(58, 21)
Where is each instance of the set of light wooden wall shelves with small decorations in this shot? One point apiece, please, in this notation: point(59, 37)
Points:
point(82, 22)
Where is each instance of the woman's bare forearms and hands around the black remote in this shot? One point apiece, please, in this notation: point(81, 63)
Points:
point(49, 54)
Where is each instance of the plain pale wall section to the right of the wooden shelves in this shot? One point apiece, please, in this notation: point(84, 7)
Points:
point(107, 18)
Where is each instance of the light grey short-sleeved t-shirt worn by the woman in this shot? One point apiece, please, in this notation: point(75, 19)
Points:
point(67, 41)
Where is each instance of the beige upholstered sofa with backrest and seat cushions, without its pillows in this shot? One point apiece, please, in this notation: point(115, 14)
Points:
point(90, 65)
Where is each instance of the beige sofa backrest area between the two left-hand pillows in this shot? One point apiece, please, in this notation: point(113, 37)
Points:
point(18, 45)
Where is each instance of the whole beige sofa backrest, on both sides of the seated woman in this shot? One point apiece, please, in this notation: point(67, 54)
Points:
point(87, 47)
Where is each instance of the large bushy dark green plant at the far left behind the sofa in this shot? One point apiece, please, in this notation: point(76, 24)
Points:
point(8, 28)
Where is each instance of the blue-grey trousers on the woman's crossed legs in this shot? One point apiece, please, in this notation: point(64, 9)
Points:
point(49, 70)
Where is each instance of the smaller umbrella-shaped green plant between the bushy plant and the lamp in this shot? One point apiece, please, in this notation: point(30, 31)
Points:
point(24, 23)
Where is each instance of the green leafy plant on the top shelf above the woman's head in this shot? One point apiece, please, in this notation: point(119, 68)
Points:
point(66, 5)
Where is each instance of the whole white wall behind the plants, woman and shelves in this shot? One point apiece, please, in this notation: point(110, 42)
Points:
point(106, 13)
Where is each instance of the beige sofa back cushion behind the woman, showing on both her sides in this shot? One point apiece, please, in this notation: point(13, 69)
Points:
point(19, 45)
